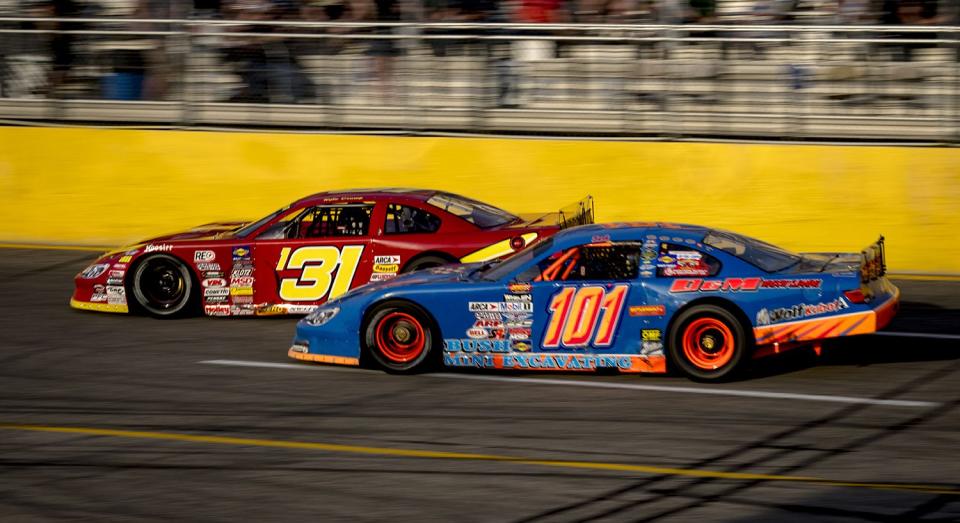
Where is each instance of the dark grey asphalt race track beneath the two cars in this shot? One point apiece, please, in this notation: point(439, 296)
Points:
point(117, 418)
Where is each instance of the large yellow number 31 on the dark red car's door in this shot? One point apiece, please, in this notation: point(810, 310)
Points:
point(317, 265)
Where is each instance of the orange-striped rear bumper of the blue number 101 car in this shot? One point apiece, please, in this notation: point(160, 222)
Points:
point(862, 322)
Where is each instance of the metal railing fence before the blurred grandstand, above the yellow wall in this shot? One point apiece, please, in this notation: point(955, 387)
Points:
point(754, 81)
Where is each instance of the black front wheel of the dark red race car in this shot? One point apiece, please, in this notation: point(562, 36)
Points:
point(163, 287)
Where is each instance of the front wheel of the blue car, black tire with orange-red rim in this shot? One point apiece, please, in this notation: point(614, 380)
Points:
point(401, 337)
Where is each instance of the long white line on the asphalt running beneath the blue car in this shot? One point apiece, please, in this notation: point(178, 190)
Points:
point(716, 391)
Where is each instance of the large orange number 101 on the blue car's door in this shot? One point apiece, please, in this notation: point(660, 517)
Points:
point(577, 313)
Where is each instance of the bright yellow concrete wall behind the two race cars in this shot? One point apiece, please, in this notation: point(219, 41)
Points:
point(107, 187)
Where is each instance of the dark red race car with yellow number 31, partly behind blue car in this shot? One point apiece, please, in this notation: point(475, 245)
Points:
point(308, 252)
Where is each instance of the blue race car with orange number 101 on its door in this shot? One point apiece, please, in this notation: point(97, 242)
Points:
point(633, 297)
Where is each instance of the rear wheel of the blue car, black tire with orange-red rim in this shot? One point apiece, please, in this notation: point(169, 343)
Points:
point(708, 343)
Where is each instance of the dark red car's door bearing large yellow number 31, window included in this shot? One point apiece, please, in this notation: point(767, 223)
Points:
point(324, 252)
